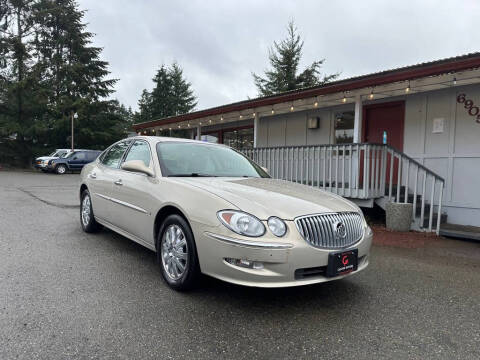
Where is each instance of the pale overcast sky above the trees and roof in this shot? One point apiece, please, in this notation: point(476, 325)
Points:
point(219, 43)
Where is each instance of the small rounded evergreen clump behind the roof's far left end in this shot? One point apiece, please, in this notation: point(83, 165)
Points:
point(171, 95)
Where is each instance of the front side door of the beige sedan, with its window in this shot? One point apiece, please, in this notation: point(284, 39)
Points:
point(133, 190)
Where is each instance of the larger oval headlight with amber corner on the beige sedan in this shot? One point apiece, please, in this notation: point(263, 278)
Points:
point(241, 223)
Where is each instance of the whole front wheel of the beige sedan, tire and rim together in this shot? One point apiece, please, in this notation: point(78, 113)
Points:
point(177, 254)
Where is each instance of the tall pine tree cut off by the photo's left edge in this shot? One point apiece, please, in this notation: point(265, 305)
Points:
point(22, 100)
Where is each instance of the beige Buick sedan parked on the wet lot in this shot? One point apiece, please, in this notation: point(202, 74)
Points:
point(206, 208)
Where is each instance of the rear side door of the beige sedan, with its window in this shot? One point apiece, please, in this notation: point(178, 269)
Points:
point(102, 178)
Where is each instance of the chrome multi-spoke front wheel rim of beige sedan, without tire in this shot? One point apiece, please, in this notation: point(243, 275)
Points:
point(174, 252)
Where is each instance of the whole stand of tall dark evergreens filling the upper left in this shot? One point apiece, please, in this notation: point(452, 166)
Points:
point(49, 70)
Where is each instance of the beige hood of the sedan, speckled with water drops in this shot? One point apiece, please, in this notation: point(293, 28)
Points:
point(264, 197)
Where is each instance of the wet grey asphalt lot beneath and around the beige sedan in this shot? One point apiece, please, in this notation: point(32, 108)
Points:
point(65, 294)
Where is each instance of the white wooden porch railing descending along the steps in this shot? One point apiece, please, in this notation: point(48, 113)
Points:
point(359, 171)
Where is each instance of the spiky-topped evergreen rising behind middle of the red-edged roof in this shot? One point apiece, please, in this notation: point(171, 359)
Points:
point(284, 59)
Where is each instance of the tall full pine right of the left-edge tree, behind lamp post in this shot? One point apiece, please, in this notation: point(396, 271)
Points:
point(75, 75)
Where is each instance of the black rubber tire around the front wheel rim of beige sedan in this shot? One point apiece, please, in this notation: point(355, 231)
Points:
point(187, 281)
